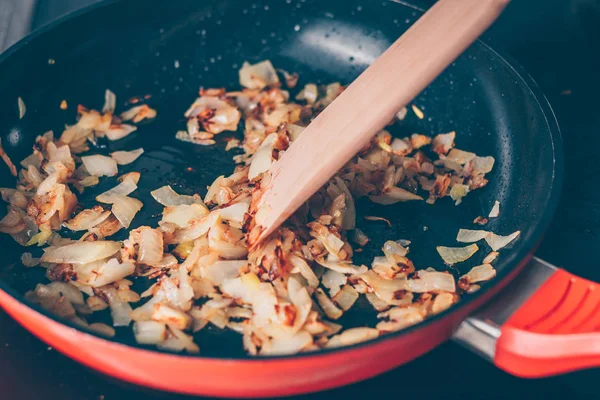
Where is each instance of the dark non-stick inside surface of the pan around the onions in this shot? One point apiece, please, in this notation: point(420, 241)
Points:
point(168, 50)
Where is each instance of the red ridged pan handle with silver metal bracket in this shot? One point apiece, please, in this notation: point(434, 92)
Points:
point(554, 328)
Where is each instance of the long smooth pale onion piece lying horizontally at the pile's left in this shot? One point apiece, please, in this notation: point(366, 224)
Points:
point(81, 252)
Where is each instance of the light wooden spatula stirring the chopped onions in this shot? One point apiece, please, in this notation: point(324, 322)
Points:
point(371, 102)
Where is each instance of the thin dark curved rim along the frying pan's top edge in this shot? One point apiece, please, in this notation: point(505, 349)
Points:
point(539, 229)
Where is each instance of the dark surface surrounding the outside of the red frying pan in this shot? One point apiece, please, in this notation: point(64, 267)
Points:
point(558, 43)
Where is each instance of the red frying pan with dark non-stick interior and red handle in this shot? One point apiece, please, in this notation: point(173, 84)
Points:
point(541, 324)
